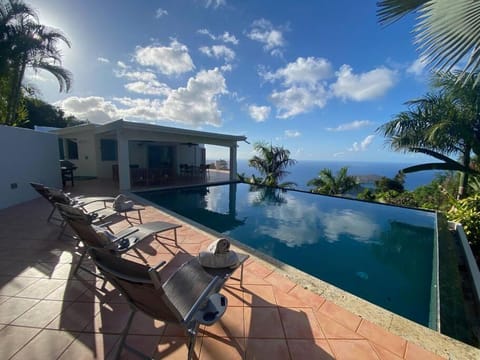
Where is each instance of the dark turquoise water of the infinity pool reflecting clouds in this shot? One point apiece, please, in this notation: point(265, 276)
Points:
point(381, 253)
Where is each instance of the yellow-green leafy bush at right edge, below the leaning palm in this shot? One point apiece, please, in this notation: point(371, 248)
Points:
point(467, 212)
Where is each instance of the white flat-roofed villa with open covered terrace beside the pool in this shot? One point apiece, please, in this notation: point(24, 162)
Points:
point(140, 154)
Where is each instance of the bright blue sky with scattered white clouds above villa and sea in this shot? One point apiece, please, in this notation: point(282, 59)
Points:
point(317, 77)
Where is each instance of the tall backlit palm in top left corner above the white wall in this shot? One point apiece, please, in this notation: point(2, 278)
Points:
point(26, 43)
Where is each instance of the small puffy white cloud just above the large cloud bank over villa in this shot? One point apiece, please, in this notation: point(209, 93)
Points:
point(169, 60)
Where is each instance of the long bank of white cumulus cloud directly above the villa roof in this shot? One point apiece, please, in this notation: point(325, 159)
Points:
point(195, 104)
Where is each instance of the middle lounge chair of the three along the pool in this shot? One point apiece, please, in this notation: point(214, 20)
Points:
point(99, 237)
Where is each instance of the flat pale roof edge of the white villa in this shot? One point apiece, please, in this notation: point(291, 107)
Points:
point(142, 131)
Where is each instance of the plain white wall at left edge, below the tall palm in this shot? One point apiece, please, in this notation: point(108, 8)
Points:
point(26, 156)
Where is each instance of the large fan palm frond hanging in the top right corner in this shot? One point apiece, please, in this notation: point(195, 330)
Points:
point(447, 31)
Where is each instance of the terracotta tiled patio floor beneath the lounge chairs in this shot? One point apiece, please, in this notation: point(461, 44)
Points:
point(45, 313)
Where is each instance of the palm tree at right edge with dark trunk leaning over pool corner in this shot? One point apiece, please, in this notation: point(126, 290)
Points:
point(442, 124)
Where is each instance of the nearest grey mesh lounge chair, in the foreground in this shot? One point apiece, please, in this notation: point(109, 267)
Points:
point(189, 297)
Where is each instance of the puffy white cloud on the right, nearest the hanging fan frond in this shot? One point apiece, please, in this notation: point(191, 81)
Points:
point(364, 86)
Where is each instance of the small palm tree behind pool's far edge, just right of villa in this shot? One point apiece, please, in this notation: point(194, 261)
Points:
point(271, 162)
